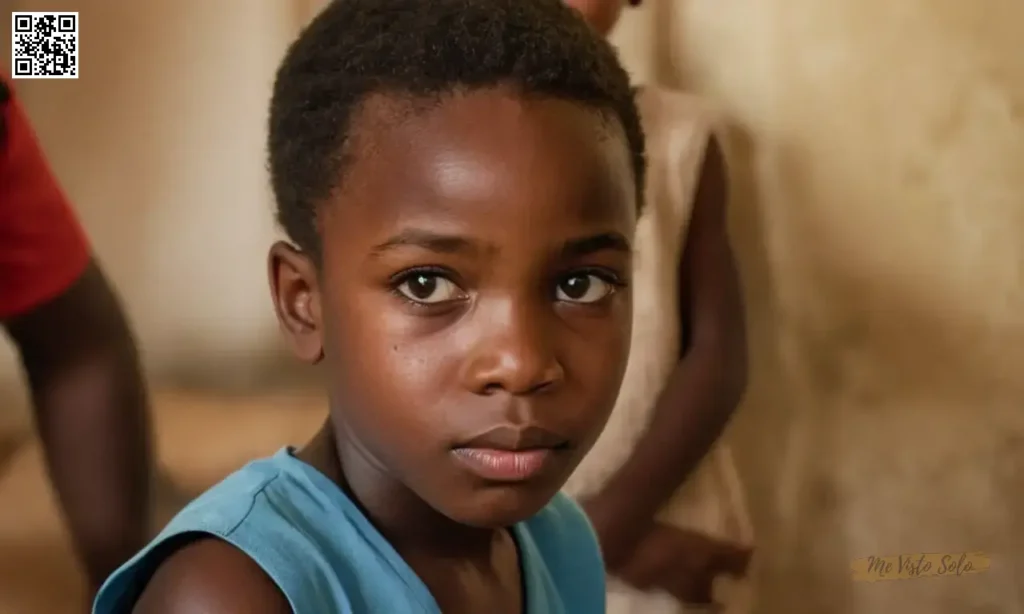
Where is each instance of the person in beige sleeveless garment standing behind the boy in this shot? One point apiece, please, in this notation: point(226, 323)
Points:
point(666, 501)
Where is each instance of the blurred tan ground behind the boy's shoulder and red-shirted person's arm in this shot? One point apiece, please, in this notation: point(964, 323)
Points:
point(200, 440)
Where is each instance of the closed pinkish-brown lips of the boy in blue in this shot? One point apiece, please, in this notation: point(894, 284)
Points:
point(510, 454)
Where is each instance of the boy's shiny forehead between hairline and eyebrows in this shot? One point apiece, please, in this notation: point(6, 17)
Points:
point(481, 156)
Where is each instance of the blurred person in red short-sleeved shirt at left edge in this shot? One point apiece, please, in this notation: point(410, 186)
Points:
point(78, 356)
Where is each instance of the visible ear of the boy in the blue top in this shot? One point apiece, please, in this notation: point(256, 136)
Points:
point(296, 297)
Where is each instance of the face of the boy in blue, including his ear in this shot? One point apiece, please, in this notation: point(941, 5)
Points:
point(474, 304)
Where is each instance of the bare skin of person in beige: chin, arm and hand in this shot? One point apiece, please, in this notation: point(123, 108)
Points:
point(697, 405)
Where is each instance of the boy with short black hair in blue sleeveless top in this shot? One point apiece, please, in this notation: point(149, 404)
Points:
point(460, 181)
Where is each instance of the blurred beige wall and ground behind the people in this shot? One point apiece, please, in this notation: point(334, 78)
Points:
point(877, 152)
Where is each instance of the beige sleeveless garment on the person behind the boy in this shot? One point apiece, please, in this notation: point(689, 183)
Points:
point(678, 129)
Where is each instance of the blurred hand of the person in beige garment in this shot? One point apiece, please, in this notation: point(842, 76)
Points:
point(684, 563)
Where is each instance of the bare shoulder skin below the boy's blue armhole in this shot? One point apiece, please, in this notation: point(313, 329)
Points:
point(211, 577)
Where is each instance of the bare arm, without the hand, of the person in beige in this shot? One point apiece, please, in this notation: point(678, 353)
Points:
point(706, 386)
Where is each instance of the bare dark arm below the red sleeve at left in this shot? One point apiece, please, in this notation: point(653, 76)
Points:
point(92, 411)
